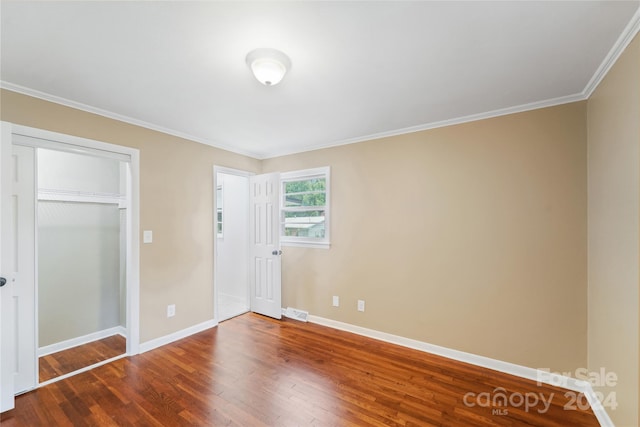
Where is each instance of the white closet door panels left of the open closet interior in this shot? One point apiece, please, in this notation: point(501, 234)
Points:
point(19, 362)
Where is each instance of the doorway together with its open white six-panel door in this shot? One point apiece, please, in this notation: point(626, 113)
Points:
point(247, 265)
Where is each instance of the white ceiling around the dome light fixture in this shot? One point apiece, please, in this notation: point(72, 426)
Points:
point(359, 69)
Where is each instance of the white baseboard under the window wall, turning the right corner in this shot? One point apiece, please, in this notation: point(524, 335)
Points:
point(482, 361)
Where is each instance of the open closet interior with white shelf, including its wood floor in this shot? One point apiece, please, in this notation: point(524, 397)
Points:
point(81, 261)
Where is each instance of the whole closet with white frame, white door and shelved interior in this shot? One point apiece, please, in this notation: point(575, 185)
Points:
point(70, 216)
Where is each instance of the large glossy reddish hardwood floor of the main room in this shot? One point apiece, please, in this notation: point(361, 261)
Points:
point(256, 371)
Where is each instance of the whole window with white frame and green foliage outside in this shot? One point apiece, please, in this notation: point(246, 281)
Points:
point(304, 207)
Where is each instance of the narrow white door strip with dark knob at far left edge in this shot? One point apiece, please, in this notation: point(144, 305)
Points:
point(7, 355)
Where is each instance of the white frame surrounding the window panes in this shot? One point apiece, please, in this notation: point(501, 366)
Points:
point(310, 242)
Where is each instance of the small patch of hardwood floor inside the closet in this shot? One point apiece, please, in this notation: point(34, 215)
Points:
point(66, 361)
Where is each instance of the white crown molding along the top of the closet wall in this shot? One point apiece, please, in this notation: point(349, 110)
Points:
point(120, 117)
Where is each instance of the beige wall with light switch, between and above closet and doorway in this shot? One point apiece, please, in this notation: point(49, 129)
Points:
point(176, 202)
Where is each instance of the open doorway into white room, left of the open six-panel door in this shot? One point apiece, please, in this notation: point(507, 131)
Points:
point(231, 230)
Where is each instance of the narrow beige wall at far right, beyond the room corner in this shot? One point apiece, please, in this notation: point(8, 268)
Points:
point(614, 231)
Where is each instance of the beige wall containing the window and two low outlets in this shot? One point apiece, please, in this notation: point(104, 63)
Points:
point(471, 237)
